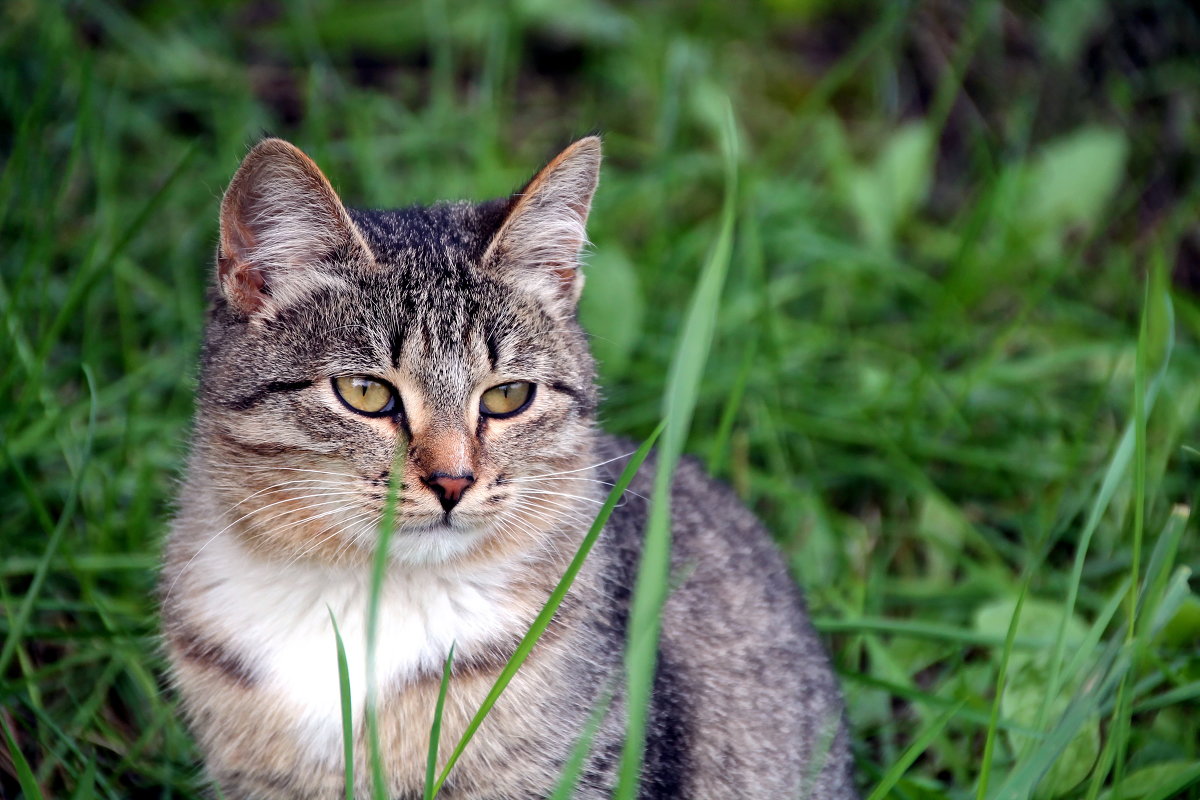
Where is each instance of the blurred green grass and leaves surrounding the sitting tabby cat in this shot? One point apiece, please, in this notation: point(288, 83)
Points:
point(955, 365)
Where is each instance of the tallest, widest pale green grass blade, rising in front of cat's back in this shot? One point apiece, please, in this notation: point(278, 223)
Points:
point(683, 388)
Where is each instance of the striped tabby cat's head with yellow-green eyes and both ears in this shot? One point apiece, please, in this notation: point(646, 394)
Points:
point(436, 342)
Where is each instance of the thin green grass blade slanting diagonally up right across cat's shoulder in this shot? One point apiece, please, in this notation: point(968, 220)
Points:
point(553, 604)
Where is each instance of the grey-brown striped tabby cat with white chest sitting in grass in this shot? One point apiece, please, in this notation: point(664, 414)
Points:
point(442, 342)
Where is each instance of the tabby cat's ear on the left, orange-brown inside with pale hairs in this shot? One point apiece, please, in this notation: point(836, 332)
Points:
point(281, 221)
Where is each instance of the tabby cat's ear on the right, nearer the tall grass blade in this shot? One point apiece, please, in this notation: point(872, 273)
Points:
point(538, 246)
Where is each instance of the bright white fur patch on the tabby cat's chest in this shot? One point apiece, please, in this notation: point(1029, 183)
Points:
point(278, 618)
